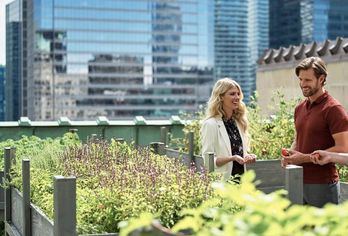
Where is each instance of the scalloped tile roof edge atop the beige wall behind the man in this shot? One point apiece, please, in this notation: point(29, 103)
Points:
point(328, 48)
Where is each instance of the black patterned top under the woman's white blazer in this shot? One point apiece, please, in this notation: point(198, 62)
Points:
point(236, 145)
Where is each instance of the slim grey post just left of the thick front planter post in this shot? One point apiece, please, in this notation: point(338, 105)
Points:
point(26, 197)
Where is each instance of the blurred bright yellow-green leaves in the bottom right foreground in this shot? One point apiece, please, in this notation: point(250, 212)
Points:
point(261, 214)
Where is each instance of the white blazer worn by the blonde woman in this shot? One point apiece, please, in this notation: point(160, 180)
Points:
point(215, 139)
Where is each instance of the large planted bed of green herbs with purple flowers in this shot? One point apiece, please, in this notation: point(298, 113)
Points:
point(114, 181)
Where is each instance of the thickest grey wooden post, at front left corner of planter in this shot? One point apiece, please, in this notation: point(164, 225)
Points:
point(64, 195)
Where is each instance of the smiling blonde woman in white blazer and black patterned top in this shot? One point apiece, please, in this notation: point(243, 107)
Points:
point(225, 129)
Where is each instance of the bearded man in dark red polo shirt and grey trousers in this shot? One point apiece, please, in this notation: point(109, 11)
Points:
point(321, 124)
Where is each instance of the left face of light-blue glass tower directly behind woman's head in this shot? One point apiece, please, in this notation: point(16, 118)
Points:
point(232, 54)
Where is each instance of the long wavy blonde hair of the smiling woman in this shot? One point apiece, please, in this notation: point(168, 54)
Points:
point(214, 106)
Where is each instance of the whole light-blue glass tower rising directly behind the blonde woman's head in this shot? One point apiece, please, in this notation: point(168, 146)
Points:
point(240, 36)
